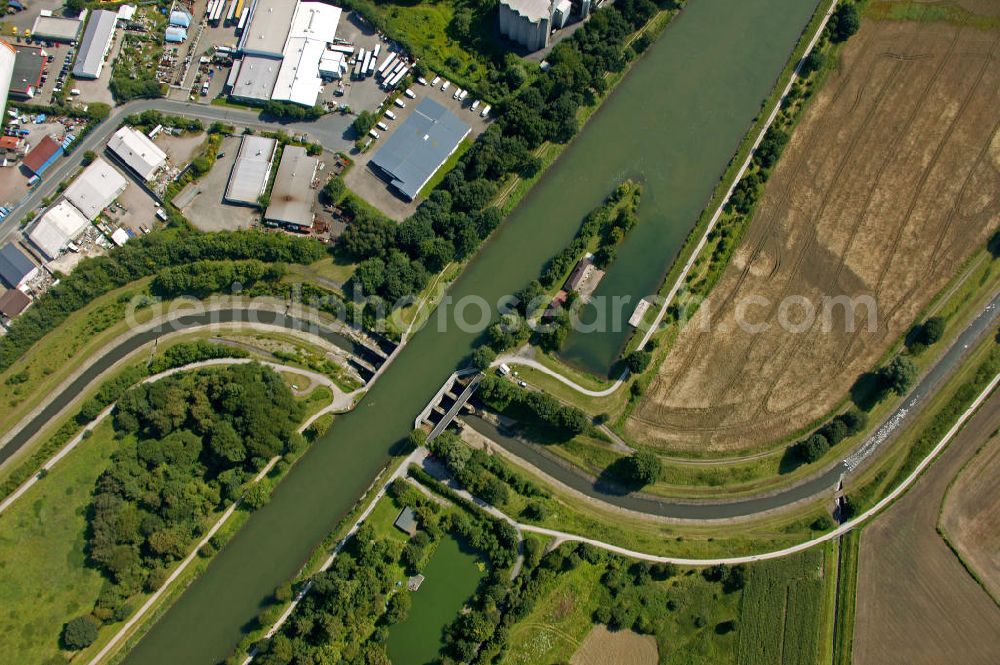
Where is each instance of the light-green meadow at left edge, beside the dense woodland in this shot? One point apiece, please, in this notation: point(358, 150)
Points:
point(43, 578)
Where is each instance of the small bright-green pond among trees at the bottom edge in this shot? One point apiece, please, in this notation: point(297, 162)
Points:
point(452, 576)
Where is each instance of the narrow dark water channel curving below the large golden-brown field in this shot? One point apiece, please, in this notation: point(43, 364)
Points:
point(825, 481)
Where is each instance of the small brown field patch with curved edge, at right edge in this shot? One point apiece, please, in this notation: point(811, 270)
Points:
point(970, 517)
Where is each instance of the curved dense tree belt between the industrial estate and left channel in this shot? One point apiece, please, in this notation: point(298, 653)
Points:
point(142, 257)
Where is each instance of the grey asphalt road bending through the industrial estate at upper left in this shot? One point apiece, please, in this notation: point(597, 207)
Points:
point(331, 131)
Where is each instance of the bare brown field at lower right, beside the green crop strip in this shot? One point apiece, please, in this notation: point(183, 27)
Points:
point(916, 603)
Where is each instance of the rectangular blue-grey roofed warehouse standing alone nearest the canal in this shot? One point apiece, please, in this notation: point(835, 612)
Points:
point(417, 149)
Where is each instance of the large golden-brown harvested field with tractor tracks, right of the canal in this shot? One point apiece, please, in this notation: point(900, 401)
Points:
point(890, 181)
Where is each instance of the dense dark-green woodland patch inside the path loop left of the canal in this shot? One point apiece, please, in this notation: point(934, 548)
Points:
point(189, 444)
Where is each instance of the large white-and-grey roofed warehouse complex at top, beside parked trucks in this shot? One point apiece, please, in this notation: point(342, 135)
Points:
point(283, 45)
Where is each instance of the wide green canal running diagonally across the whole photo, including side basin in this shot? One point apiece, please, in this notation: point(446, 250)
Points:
point(674, 121)
